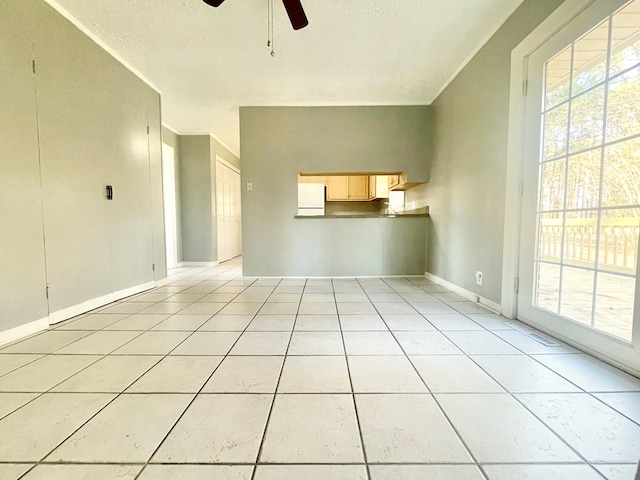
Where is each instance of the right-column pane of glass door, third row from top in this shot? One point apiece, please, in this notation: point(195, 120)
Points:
point(621, 185)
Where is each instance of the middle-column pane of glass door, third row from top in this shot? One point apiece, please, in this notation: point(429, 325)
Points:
point(583, 182)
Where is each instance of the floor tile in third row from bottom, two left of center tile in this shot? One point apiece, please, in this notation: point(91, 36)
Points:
point(176, 374)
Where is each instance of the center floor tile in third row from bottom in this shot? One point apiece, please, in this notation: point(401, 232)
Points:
point(321, 374)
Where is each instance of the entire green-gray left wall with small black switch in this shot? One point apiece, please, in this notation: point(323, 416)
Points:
point(77, 124)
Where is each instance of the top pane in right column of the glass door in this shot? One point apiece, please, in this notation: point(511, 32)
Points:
point(625, 40)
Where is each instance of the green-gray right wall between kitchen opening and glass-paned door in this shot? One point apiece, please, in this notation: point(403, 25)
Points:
point(466, 192)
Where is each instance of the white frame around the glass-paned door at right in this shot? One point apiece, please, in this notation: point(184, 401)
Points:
point(563, 15)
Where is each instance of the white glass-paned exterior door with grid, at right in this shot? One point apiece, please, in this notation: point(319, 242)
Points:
point(581, 185)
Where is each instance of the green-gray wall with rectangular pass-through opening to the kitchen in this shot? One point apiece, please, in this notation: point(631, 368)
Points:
point(279, 142)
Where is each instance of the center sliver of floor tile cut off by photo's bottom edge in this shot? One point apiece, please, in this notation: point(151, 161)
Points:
point(311, 472)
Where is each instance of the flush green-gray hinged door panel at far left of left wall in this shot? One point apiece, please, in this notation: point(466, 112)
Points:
point(22, 267)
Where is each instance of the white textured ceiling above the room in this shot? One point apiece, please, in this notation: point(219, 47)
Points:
point(208, 62)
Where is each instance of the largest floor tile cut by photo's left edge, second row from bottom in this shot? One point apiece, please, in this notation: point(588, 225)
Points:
point(58, 414)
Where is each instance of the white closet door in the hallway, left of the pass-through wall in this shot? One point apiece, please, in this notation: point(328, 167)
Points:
point(228, 212)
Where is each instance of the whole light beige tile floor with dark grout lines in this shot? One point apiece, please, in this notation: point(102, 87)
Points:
point(216, 376)
